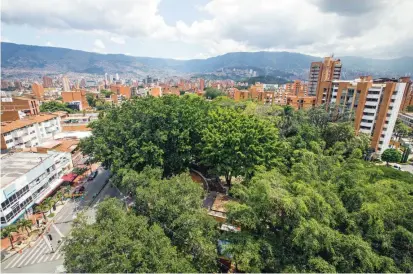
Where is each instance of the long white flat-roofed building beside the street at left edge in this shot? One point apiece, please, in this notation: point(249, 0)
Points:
point(27, 179)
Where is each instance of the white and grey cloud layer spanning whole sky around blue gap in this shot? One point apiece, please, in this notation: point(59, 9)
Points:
point(377, 28)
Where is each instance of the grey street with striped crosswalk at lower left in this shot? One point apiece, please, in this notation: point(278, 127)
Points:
point(39, 258)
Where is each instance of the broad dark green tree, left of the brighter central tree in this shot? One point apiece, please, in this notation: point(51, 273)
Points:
point(156, 132)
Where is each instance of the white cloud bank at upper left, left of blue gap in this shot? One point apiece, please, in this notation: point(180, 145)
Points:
point(136, 18)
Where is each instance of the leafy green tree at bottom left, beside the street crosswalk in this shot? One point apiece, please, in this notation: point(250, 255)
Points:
point(120, 242)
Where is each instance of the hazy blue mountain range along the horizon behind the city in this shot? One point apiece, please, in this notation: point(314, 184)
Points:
point(34, 61)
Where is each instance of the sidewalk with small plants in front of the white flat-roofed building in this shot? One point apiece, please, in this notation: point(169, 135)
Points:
point(7, 252)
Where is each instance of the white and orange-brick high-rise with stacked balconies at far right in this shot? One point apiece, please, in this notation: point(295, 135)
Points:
point(374, 104)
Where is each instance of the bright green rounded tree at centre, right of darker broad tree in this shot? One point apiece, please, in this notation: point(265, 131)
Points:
point(234, 144)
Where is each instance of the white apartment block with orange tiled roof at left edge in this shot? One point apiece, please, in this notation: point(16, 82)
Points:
point(30, 131)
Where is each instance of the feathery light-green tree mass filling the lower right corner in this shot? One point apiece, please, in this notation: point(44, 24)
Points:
point(352, 220)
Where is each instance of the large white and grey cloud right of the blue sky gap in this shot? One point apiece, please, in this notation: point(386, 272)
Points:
point(319, 27)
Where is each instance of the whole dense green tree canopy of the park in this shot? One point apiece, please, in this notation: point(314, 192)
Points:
point(305, 199)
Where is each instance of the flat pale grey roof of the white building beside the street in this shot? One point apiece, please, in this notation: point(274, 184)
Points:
point(15, 165)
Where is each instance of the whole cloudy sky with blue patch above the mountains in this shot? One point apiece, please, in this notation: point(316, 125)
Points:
point(188, 29)
